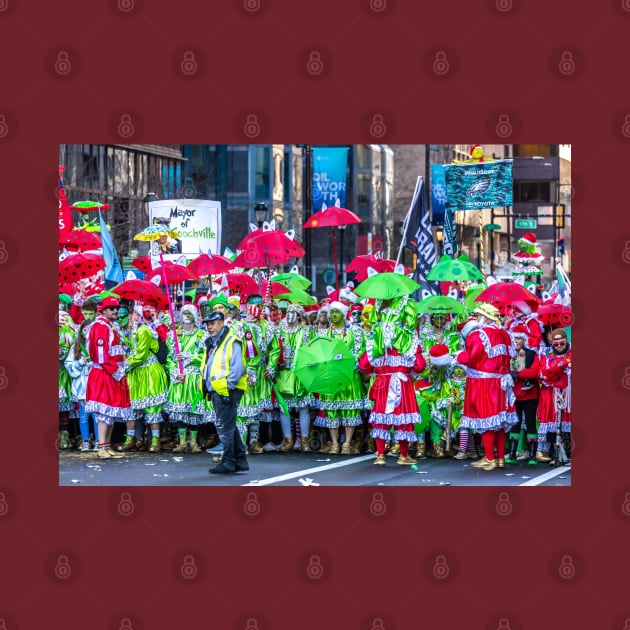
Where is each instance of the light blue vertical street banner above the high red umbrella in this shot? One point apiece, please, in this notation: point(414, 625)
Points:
point(329, 176)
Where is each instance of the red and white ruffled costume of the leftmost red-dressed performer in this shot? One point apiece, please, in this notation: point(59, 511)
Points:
point(107, 392)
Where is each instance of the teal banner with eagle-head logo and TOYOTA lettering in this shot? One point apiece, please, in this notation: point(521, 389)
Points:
point(478, 185)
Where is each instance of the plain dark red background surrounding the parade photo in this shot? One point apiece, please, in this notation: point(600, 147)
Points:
point(251, 566)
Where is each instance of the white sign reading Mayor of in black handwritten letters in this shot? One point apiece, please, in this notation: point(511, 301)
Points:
point(197, 222)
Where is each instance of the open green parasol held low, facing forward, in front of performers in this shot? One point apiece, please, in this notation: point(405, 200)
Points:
point(324, 365)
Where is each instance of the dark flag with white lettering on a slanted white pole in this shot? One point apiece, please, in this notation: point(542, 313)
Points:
point(418, 236)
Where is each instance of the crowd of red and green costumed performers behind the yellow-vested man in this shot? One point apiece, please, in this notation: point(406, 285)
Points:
point(488, 381)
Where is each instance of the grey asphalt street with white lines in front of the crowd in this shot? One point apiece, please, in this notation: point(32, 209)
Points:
point(295, 469)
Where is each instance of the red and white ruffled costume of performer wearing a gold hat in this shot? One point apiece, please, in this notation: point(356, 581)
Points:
point(489, 399)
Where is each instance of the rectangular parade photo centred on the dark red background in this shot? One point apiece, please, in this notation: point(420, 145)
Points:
point(315, 315)
